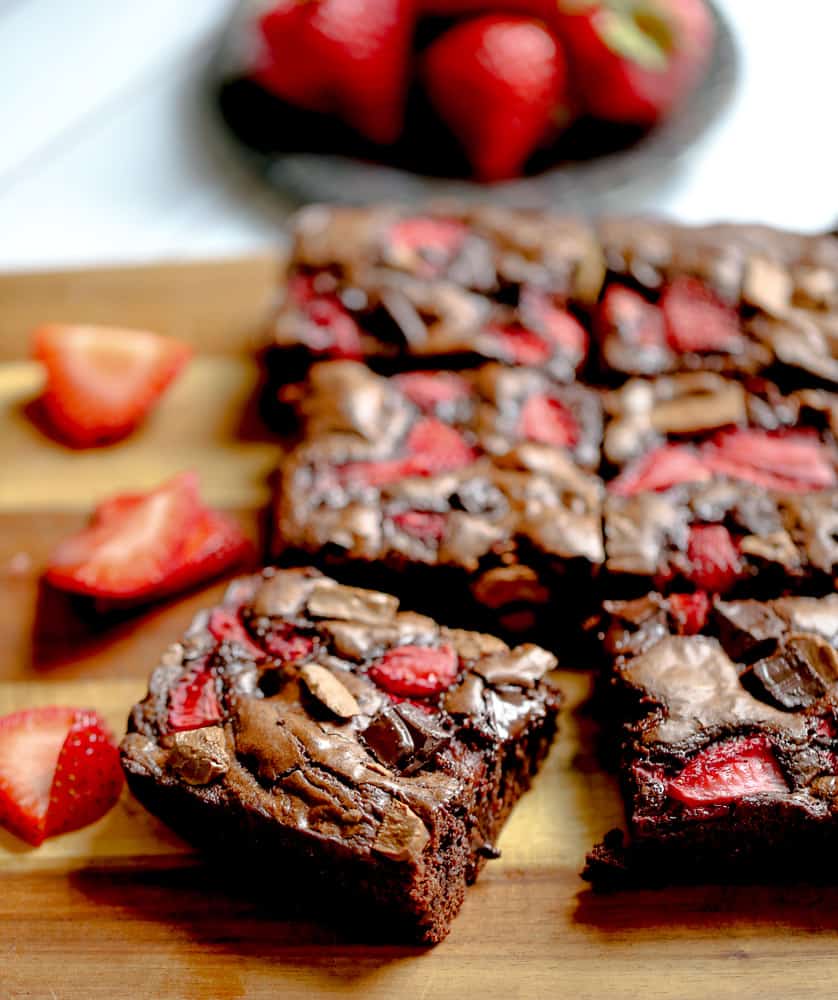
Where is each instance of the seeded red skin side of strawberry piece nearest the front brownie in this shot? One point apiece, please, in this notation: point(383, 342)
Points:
point(88, 778)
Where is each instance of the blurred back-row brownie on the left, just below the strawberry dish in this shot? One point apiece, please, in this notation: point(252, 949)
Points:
point(405, 291)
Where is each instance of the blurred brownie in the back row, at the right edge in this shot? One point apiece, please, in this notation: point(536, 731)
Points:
point(728, 298)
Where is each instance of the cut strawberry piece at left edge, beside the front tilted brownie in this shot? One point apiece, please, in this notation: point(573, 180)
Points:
point(39, 759)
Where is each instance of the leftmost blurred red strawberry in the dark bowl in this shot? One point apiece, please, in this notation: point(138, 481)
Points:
point(344, 57)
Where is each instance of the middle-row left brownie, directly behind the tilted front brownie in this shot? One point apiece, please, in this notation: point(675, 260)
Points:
point(469, 519)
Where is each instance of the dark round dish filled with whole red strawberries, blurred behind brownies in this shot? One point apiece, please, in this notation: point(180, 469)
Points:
point(540, 101)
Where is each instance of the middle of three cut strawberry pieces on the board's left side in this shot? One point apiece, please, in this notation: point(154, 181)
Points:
point(132, 548)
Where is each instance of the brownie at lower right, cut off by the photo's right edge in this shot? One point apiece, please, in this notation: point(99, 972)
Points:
point(729, 740)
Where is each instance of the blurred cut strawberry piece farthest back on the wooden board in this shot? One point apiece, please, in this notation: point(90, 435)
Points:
point(102, 381)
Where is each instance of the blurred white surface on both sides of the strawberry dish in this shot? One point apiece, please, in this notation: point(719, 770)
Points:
point(105, 153)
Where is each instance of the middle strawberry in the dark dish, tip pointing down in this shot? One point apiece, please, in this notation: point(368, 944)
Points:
point(499, 84)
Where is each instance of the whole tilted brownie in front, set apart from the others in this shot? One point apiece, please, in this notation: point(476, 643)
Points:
point(366, 755)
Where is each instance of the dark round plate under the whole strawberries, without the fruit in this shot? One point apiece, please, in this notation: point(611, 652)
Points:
point(297, 152)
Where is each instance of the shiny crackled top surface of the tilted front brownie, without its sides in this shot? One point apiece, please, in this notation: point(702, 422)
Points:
point(334, 711)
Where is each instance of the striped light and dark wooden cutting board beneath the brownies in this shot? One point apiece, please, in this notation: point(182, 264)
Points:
point(126, 909)
